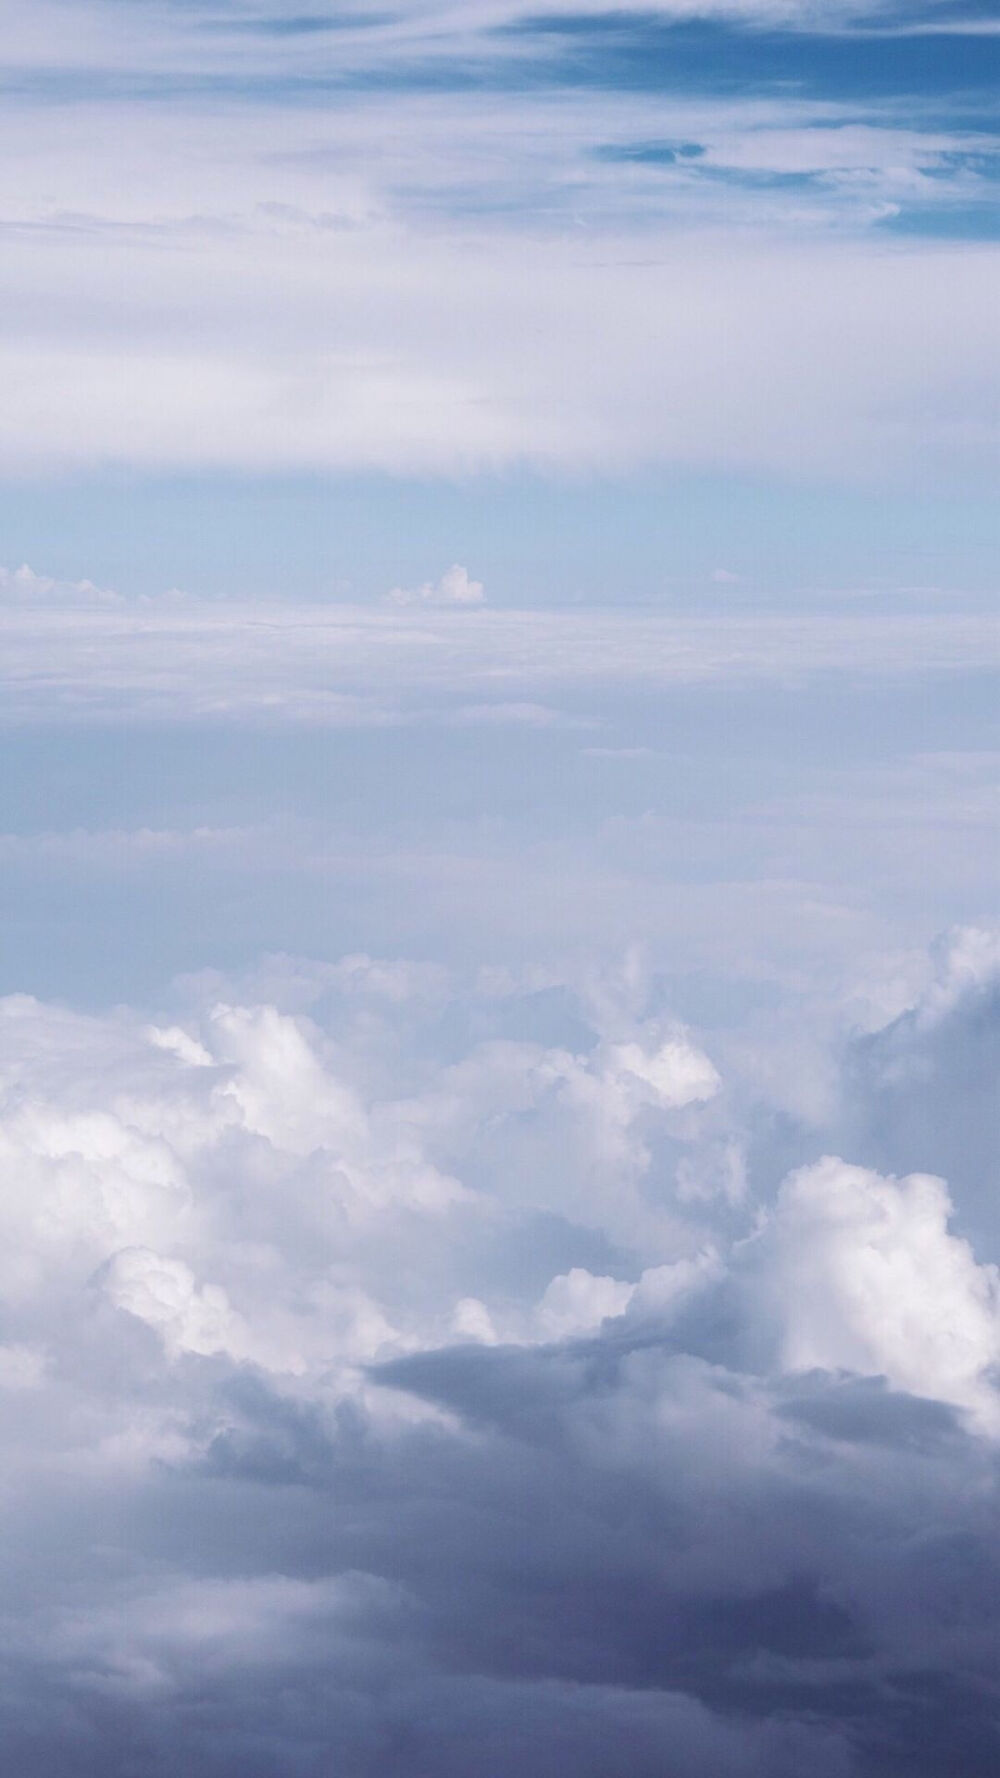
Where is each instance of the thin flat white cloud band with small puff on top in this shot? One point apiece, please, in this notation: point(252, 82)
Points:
point(74, 652)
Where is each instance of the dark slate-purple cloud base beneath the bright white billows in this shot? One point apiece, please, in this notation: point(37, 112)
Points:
point(592, 1567)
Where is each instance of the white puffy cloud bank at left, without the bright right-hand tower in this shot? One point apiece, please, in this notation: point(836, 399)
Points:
point(223, 1180)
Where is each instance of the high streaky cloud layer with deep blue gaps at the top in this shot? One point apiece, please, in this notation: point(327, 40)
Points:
point(469, 241)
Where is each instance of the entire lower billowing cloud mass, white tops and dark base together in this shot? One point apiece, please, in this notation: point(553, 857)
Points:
point(391, 1400)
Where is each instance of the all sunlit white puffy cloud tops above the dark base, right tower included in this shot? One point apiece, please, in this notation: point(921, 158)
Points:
point(225, 1180)
